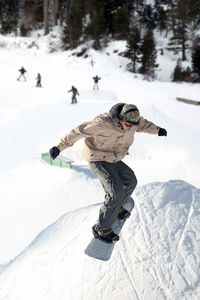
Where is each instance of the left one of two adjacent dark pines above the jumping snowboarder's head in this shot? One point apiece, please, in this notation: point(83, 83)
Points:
point(133, 47)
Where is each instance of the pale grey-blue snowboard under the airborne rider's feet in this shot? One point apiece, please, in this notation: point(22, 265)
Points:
point(101, 250)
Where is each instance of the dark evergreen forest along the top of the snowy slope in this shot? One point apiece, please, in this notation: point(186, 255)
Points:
point(100, 21)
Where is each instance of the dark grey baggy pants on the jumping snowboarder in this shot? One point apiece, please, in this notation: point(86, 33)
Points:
point(119, 182)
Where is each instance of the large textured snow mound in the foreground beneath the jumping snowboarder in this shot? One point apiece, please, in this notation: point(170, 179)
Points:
point(157, 256)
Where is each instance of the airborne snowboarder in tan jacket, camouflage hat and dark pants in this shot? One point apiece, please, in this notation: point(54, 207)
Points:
point(107, 139)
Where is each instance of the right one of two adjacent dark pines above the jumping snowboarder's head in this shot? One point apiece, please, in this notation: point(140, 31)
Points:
point(149, 55)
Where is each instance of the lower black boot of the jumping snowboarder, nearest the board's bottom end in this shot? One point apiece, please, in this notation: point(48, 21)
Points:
point(105, 235)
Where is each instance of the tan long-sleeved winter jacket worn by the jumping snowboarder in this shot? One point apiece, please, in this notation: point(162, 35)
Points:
point(105, 140)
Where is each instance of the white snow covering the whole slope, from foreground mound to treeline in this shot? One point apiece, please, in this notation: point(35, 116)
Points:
point(47, 212)
